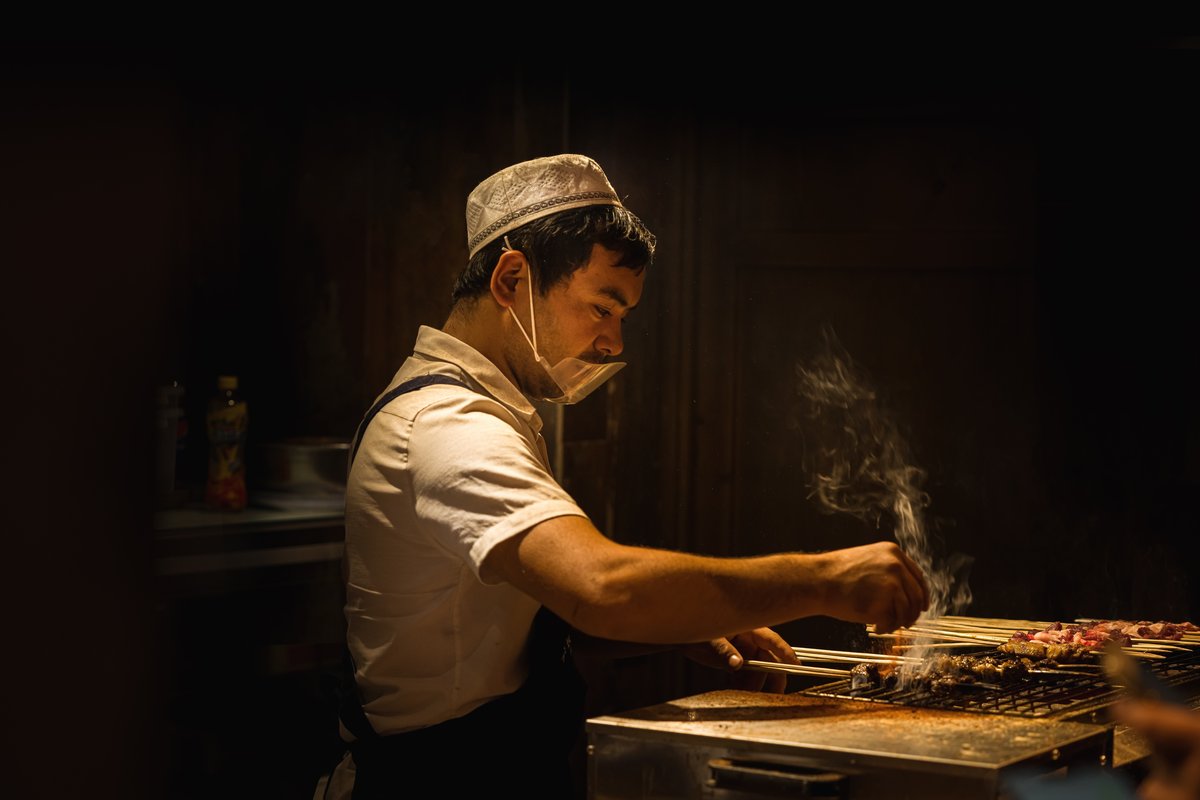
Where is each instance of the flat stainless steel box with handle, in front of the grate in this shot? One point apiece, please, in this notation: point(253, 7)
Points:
point(881, 750)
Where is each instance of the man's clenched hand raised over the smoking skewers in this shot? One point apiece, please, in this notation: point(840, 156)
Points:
point(877, 585)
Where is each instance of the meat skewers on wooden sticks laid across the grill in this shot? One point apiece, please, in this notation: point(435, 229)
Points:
point(1016, 649)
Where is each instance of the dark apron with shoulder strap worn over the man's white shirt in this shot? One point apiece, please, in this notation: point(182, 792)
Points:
point(520, 743)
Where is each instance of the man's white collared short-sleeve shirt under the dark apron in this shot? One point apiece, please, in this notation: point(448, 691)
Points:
point(442, 476)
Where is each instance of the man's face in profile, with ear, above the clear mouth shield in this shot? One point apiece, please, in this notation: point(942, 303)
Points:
point(580, 317)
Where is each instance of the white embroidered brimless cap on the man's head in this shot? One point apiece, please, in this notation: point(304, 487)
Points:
point(531, 190)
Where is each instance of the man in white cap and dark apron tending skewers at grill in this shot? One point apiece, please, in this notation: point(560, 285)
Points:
point(473, 576)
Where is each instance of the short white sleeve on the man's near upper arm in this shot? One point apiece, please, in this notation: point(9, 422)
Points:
point(478, 480)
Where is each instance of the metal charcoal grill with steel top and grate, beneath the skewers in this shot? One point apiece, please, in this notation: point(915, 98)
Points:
point(831, 741)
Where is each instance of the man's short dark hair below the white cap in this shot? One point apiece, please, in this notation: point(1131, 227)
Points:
point(561, 244)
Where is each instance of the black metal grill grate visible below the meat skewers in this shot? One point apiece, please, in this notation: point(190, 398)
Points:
point(1036, 696)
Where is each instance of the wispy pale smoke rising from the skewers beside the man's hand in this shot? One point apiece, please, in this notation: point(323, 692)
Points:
point(862, 466)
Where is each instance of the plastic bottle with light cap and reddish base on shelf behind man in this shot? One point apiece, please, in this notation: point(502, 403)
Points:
point(227, 420)
